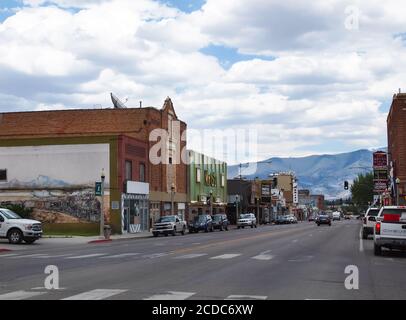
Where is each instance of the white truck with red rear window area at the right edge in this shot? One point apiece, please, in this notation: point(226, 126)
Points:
point(390, 229)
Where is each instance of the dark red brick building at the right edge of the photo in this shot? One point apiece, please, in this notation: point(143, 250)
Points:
point(396, 126)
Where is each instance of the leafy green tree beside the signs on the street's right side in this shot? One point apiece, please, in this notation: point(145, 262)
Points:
point(362, 190)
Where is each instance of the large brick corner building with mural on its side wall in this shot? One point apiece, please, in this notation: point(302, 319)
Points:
point(50, 161)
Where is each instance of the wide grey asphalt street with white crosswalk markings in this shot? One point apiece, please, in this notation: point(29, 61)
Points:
point(300, 261)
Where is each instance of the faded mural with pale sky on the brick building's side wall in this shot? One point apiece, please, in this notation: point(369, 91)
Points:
point(58, 184)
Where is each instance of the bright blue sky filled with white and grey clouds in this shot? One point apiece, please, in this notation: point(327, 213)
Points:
point(311, 77)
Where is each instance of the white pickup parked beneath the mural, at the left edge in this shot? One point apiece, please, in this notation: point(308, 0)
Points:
point(17, 229)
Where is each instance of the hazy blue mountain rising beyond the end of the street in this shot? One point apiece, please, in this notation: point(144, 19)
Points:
point(322, 174)
